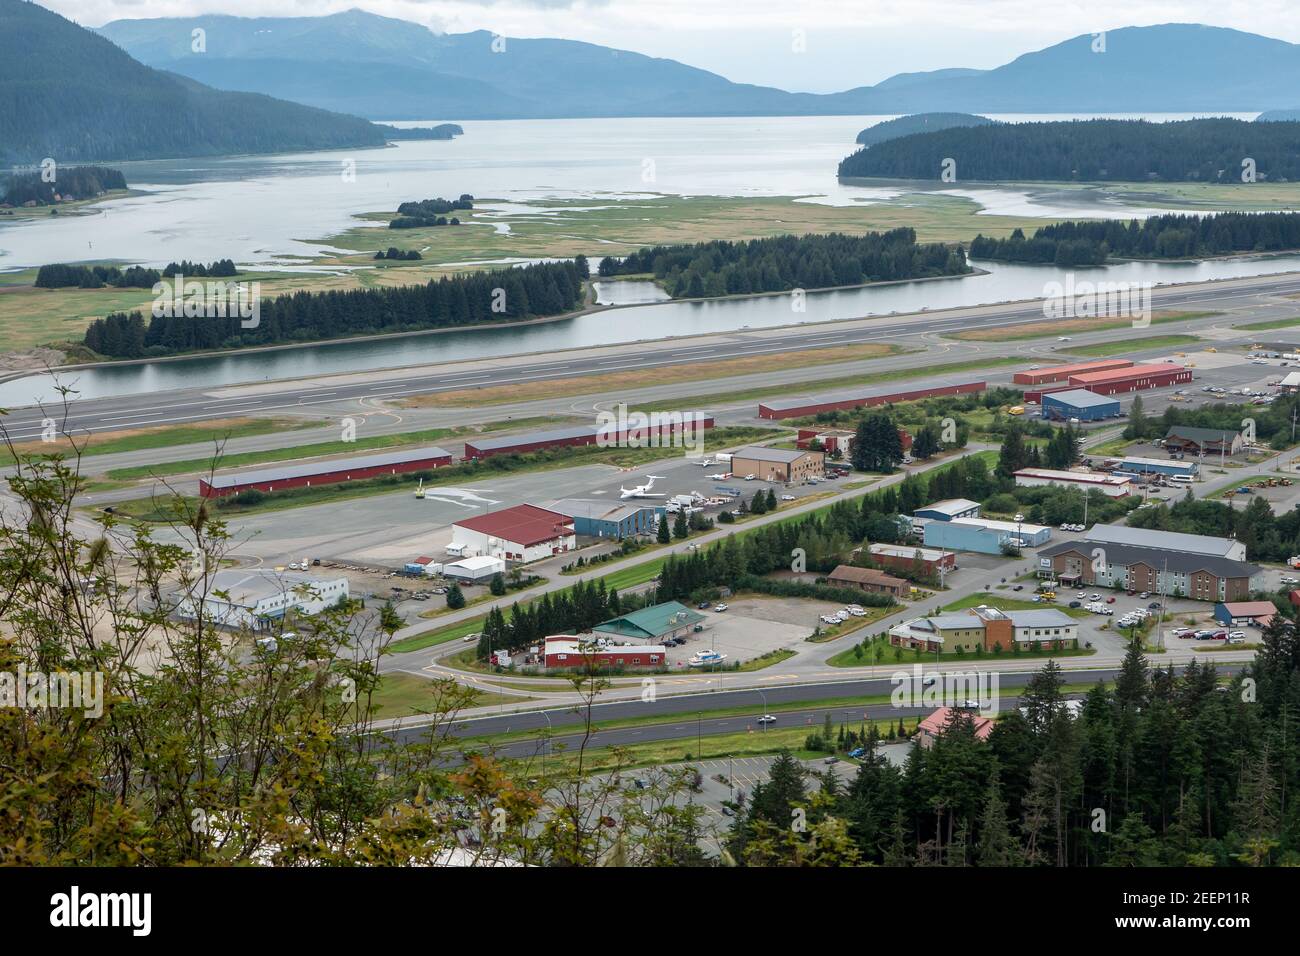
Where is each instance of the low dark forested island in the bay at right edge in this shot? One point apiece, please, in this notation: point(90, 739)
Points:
point(1091, 152)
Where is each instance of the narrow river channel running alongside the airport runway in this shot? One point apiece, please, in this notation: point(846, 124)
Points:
point(1003, 284)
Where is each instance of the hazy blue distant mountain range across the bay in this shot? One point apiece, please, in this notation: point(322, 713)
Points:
point(332, 62)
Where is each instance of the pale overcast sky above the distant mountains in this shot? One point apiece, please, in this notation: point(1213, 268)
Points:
point(847, 44)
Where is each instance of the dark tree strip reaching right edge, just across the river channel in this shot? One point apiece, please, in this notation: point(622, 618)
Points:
point(1160, 237)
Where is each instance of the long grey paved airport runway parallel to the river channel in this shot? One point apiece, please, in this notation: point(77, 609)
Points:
point(300, 396)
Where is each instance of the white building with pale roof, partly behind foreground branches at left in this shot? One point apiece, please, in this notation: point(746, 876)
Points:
point(255, 599)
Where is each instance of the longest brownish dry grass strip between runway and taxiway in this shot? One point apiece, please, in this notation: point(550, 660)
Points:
point(630, 379)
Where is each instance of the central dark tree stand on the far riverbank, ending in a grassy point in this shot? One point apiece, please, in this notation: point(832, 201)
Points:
point(790, 262)
